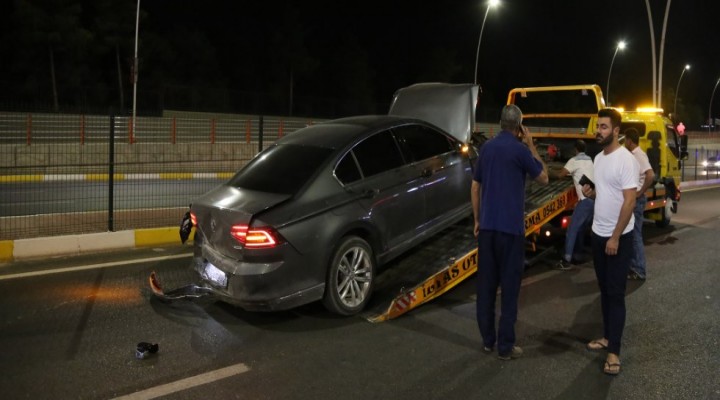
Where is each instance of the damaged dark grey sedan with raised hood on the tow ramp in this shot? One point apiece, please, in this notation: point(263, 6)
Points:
point(313, 217)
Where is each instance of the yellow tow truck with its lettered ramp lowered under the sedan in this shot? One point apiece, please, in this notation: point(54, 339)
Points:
point(557, 116)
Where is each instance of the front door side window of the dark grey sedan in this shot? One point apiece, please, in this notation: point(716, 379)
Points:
point(420, 142)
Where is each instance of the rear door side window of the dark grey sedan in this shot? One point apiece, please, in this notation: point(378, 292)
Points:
point(378, 153)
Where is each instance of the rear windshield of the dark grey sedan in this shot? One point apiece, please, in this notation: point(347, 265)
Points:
point(281, 169)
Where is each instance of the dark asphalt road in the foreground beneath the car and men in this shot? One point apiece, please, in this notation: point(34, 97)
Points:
point(72, 334)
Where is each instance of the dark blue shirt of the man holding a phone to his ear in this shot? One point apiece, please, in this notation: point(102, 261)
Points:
point(501, 168)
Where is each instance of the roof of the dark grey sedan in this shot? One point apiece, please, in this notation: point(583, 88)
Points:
point(338, 133)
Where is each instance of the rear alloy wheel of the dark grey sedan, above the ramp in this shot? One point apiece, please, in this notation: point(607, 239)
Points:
point(350, 277)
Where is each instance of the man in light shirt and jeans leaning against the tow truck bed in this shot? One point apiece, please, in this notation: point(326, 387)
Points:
point(579, 165)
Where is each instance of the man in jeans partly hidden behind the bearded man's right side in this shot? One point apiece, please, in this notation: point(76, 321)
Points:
point(647, 177)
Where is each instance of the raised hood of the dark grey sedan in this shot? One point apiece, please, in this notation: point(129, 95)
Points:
point(450, 107)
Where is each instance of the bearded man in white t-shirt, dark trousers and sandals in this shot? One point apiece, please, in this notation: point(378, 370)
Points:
point(616, 184)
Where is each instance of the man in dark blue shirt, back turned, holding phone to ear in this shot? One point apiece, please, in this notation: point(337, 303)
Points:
point(498, 200)
